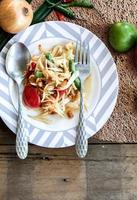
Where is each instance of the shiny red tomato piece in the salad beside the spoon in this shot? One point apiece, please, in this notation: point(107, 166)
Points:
point(31, 97)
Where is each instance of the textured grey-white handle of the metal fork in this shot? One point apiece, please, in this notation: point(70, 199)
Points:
point(81, 140)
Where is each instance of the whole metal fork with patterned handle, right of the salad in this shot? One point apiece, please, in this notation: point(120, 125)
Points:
point(82, 62)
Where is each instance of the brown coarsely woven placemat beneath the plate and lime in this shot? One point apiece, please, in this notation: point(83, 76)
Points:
point(122, 125)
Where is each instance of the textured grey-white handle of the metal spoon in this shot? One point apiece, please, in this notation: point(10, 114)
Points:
point(22, 135)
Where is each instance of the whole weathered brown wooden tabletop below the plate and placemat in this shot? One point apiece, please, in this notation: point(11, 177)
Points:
point(108, 173)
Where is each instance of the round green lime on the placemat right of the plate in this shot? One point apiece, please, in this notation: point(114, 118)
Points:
point(122, 36)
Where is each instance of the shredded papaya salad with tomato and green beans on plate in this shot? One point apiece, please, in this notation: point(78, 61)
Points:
point(52, 83)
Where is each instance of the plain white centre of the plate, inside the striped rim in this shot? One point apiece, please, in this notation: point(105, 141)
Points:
point(92, 85)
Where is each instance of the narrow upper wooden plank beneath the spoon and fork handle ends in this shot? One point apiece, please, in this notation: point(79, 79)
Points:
point(95, 151)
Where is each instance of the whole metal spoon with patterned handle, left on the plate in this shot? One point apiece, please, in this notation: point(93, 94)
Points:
point(16, 60)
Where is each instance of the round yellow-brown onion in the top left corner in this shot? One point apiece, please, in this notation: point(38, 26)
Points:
point(15, 15)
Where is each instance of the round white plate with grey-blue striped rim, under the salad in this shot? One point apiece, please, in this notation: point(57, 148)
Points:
point(102, 89)
